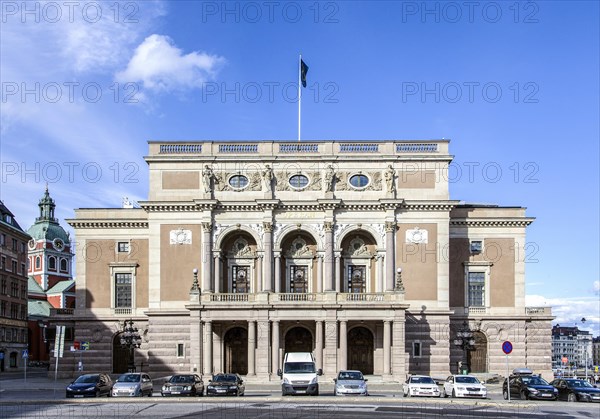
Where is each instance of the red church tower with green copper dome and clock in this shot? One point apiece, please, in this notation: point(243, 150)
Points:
point(50, 284)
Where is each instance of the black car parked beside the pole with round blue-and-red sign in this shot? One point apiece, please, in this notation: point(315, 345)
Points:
point(525, 385)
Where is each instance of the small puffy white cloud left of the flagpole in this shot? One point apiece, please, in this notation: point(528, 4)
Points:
point(160, 66)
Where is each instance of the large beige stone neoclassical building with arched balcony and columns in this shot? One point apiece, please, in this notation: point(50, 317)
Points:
point(352, 250)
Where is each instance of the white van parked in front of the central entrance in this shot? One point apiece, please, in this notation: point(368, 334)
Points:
point(300, 374)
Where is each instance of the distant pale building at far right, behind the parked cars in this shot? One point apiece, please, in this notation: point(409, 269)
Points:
point(572, 344)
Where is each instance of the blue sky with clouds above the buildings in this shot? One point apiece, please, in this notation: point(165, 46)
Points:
point(515, 86)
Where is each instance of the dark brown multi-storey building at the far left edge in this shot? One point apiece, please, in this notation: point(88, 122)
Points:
point(13, 291)
